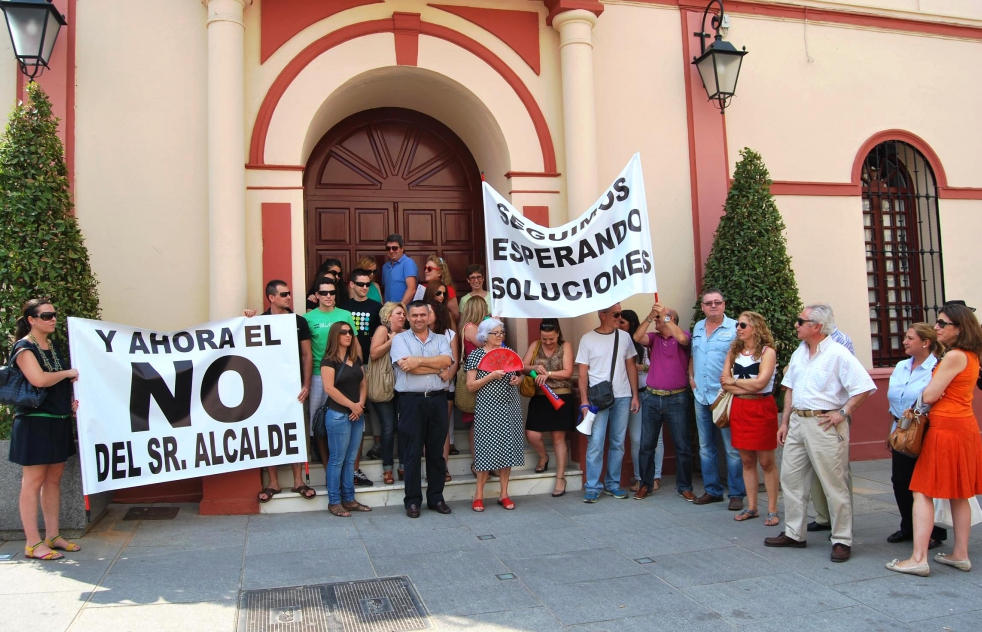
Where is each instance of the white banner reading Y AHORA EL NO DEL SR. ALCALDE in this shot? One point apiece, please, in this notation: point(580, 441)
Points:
point(156, 407)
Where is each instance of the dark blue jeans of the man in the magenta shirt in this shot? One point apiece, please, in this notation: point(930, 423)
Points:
point(672, 411)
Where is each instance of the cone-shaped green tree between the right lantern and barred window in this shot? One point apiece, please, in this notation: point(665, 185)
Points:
point(749, 260)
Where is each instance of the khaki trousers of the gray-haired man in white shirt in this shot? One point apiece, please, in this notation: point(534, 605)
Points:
point(811, 452)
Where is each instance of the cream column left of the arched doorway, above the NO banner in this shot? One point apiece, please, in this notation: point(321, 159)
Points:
point(226, 158)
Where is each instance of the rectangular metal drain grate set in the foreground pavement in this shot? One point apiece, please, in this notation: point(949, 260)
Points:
point(375, 605)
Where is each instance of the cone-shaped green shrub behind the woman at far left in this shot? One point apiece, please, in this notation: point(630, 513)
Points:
point(42, 253)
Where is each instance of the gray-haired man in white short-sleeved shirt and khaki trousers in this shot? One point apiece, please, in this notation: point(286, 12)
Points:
point(825, 385)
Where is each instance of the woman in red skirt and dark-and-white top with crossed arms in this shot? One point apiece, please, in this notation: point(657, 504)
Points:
point(748, 373)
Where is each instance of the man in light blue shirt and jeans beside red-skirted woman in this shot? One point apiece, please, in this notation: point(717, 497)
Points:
point(711, 340)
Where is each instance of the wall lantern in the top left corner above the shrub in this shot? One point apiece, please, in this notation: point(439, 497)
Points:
point(33, 26)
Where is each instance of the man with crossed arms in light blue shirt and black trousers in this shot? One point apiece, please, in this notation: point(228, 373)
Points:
point(418, 357)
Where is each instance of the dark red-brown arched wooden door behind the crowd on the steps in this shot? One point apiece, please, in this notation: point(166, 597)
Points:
point(391, 170)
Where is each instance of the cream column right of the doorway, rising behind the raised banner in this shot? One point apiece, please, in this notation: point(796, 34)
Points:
point(579, 112)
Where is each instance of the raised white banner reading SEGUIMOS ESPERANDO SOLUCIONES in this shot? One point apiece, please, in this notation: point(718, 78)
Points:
point(594, 261)
